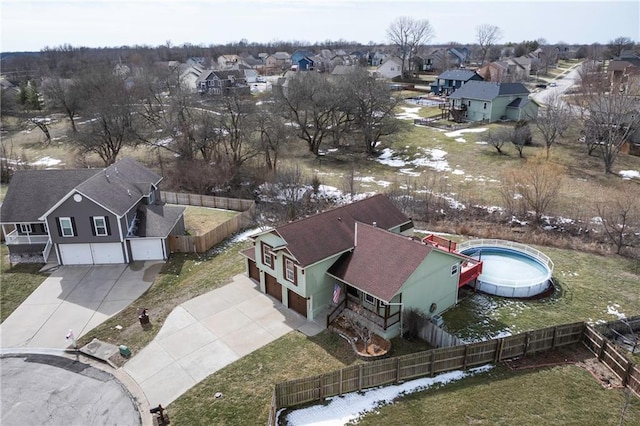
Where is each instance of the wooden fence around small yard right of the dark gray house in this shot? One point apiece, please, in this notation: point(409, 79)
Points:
point(202, 243)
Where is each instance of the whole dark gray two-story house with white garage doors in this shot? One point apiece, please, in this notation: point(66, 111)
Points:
point(89, 216)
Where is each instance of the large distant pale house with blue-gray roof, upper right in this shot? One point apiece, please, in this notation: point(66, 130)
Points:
point(486, 101)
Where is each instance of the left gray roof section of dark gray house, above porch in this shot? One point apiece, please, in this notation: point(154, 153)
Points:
point(32, 192)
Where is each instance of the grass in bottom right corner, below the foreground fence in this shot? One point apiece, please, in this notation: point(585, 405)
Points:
point(560, 395)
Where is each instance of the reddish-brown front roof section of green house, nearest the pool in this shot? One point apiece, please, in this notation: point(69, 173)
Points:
point(381, 261)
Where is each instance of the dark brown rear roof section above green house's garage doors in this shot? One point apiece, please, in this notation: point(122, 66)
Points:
point(326, 234)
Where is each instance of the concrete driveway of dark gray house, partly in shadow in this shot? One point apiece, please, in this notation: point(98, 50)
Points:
point(77, 298)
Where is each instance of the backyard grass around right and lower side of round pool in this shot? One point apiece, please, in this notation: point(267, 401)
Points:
point(587, 286)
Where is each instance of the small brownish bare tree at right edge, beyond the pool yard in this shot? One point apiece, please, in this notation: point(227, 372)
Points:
point(620, 218)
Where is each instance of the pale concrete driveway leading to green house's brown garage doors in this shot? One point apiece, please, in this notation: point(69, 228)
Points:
point(204, 334)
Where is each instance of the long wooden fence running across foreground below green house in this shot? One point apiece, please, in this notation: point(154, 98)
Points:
point(421, 364)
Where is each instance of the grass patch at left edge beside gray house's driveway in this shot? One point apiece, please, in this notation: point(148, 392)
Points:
point(18, 282)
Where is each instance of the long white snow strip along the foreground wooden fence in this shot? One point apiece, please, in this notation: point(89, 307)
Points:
point(347, 408)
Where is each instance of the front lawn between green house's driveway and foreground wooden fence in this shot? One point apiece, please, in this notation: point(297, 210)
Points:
point(247, 384)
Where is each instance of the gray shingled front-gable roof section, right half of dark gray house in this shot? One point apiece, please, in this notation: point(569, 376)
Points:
point(120, 186)
